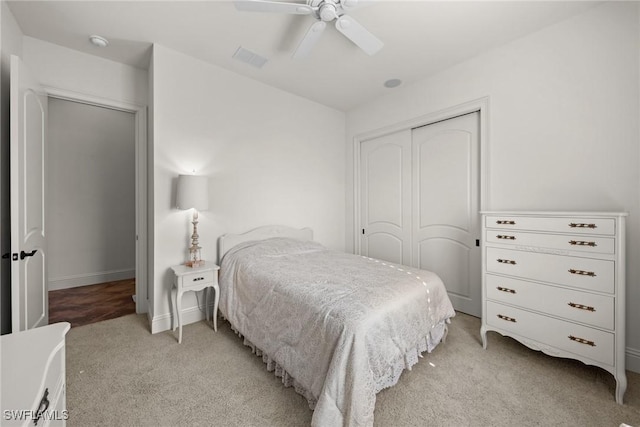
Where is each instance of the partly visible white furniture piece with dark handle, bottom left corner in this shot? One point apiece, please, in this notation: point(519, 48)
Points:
point(33, 377)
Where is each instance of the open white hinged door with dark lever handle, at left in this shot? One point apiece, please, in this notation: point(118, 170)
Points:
point(29, 297)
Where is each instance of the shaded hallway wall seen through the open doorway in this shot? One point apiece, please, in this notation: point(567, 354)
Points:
point(90, 194)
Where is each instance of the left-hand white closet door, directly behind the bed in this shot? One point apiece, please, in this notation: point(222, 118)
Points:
point(385, 202)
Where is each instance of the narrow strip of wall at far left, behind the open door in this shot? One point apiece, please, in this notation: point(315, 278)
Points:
point(10, 44)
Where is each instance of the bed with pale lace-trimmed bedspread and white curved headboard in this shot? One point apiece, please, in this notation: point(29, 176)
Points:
point(337, 327)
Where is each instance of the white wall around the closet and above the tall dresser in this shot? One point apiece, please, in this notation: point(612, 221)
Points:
point(563, 124)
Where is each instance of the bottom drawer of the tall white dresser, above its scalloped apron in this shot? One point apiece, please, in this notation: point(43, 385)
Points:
point(577, 339)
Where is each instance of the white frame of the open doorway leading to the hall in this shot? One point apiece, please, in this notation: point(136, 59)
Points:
point(141, 193)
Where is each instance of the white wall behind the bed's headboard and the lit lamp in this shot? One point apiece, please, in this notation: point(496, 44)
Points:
point(272, 158)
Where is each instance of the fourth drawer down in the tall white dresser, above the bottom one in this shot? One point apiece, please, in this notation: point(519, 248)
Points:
point(592, 309)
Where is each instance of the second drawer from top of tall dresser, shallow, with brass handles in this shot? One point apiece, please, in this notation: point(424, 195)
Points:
point(560, 242)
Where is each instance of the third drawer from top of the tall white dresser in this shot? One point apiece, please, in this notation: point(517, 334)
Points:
point(583, 273)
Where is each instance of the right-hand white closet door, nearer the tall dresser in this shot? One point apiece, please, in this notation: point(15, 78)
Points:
point(446, 224)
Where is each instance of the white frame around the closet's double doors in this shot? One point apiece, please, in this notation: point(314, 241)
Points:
point(480, 105)
